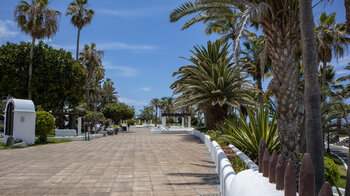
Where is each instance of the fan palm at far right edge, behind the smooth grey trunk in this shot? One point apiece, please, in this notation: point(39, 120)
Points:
point(331, 39)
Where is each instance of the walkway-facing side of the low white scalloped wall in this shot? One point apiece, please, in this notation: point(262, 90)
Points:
point(223, 166)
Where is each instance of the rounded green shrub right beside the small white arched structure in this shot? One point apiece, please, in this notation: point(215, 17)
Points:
point(45, 123)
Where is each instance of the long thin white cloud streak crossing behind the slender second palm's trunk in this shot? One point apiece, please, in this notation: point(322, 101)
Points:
point(112, 46)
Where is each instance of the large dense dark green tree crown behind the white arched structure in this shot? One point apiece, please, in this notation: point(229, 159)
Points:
point(57, 78)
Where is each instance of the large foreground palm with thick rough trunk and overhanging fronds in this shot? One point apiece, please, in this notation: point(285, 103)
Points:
point(279, 21)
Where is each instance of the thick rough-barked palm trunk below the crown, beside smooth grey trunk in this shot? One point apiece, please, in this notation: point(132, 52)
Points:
point(284, 86)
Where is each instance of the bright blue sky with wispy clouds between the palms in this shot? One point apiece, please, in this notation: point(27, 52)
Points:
point(142, 48)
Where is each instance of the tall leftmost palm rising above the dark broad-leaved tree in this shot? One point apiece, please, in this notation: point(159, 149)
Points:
point(39, 21)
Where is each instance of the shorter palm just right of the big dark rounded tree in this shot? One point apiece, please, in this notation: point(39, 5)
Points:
point(92, 59)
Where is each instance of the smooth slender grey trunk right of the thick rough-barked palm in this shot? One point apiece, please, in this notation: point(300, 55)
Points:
point(314, 141)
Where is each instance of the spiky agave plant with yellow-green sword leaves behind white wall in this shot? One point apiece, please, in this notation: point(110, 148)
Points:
point(246, 135)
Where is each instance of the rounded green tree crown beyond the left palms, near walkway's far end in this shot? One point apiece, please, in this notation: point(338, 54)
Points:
point(118, 112)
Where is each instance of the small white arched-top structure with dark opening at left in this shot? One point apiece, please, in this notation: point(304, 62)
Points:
point(20, 120)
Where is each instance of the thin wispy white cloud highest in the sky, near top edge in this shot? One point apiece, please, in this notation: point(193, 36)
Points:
point(132, 13)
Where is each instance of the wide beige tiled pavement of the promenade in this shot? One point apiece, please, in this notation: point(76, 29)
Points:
point(134, 163)
